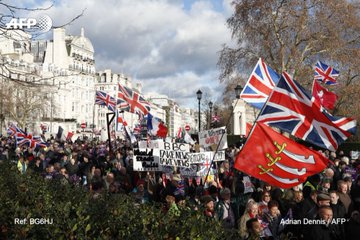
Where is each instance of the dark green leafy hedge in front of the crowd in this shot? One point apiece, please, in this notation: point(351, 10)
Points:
point(76, 214)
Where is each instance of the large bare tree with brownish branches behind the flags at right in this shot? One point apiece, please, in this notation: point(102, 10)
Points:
point(292, 36)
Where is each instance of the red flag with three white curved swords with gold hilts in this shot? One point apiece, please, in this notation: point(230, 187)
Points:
point(278, 160)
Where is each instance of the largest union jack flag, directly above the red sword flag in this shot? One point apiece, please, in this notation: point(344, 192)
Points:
point(291, 109)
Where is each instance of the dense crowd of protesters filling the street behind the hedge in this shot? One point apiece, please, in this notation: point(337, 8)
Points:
point(312, 210)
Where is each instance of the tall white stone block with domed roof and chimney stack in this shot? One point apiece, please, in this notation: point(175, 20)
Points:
point(69, 61)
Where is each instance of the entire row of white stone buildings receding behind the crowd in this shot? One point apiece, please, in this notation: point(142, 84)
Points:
point(65, 66)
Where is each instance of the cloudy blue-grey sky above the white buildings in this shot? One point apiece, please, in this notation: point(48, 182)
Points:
point(170, 46)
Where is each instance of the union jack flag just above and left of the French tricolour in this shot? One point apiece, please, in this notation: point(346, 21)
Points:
point(131, 101)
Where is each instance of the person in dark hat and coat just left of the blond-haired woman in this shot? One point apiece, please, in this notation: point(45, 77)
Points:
point(224, 210)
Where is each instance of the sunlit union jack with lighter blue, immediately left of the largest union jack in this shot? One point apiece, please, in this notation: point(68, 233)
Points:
point(260, 84)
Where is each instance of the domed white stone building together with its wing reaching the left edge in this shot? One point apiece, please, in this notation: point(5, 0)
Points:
point(65, 68)
